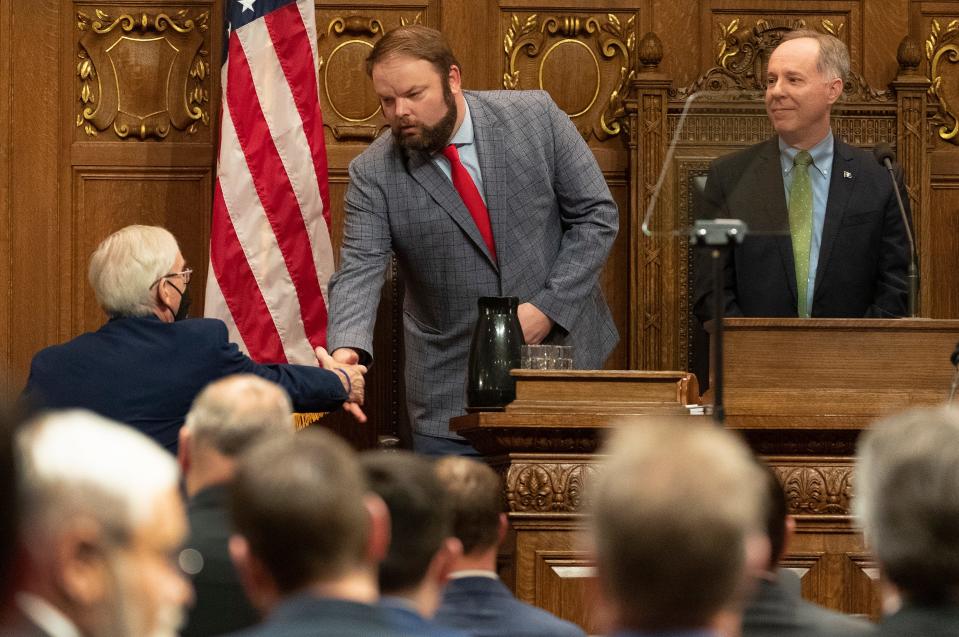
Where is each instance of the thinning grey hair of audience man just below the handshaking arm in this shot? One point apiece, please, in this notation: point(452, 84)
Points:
point(233, 411)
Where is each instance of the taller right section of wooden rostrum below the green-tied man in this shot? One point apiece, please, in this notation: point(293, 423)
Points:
point(801, 390)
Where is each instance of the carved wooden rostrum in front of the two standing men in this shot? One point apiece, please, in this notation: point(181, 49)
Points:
point(799, 390)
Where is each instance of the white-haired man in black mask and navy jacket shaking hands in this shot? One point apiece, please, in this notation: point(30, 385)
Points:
point(144, 367)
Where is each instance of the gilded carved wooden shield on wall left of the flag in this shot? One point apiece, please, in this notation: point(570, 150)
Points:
point(143, 74)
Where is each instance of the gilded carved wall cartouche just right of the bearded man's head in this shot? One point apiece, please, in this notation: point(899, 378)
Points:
point(585, 62)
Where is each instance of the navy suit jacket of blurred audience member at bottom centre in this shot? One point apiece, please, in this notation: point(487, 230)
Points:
point(484, 607)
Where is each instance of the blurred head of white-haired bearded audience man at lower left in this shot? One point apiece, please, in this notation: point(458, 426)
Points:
point(102, 523)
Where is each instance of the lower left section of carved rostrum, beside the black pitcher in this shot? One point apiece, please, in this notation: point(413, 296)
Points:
point(543, 445)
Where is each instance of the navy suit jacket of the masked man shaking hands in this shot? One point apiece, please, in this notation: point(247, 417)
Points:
point(146, 373)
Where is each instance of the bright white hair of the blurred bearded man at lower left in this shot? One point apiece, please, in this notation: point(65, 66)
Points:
point(78, 463)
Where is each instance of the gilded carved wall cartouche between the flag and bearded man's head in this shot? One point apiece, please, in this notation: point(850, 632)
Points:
point(350, 107)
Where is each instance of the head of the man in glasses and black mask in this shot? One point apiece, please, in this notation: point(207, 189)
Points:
point(139, 271)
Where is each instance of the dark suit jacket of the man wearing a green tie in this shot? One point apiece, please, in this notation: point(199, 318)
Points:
point(864, 253)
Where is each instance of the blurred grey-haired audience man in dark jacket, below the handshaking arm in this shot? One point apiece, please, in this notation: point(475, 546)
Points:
point(226, 418)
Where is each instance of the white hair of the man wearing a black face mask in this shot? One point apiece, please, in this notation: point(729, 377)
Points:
point(125, 266)
